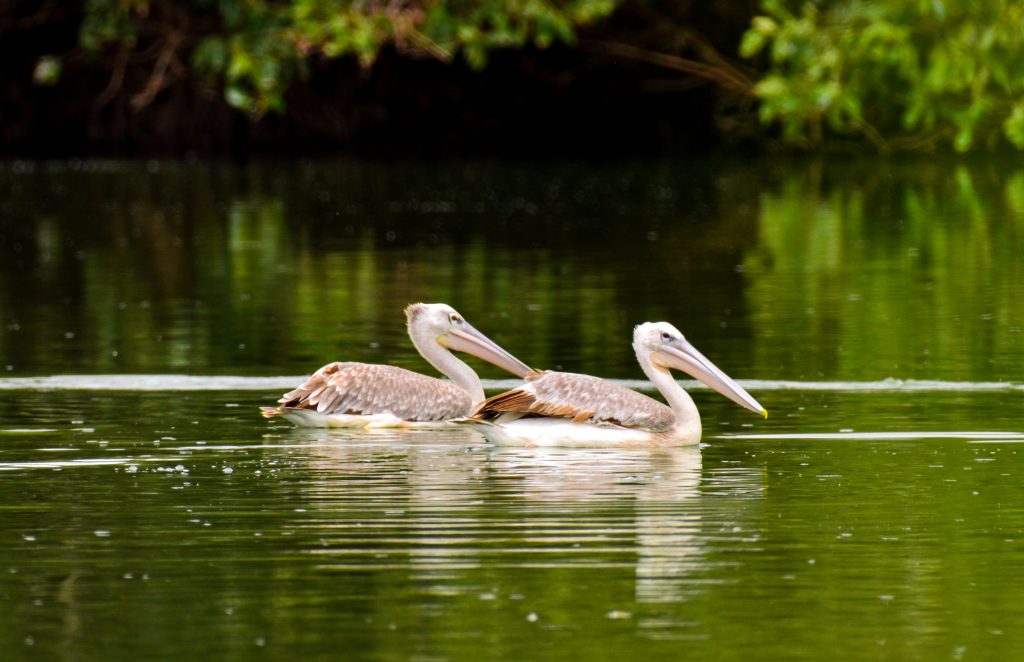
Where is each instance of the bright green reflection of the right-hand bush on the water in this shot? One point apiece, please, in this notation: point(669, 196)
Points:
point(913, 280)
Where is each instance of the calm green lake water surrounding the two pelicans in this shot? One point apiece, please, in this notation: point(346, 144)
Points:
point(875, 309)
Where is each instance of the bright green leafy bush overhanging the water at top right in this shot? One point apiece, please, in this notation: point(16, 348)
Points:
point(902, 74)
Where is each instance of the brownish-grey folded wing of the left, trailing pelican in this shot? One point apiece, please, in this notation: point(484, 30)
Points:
point(366, 389)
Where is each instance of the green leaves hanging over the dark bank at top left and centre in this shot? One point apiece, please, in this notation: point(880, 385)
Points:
point(255, 49)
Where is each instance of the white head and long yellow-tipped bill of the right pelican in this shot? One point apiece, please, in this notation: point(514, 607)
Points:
point(667, 349)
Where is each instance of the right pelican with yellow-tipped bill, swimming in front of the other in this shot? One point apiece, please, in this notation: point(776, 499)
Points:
point(567, 409)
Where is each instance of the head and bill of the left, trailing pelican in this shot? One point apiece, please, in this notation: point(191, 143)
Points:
point(443, 324)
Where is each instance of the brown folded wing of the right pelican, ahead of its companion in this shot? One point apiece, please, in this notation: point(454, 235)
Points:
point(582, 399)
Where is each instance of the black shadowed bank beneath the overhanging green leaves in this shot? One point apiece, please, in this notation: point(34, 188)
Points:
point(573, 100)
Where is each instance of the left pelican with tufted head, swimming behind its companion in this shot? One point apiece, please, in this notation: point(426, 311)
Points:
point(360, 395)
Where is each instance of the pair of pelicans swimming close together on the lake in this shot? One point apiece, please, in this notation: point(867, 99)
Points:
point(549, 409)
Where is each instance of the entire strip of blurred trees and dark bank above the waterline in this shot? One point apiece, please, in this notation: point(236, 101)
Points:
point(216, 75)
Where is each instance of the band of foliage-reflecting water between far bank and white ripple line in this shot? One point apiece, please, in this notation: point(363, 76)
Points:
point(837, 271)
